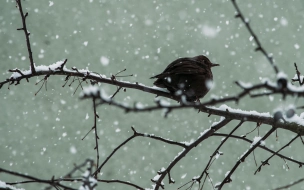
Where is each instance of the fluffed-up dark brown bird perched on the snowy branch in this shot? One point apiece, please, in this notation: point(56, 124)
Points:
point(189, 76)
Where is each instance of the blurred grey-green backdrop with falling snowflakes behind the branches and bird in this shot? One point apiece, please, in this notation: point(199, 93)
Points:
point(41, 135)
